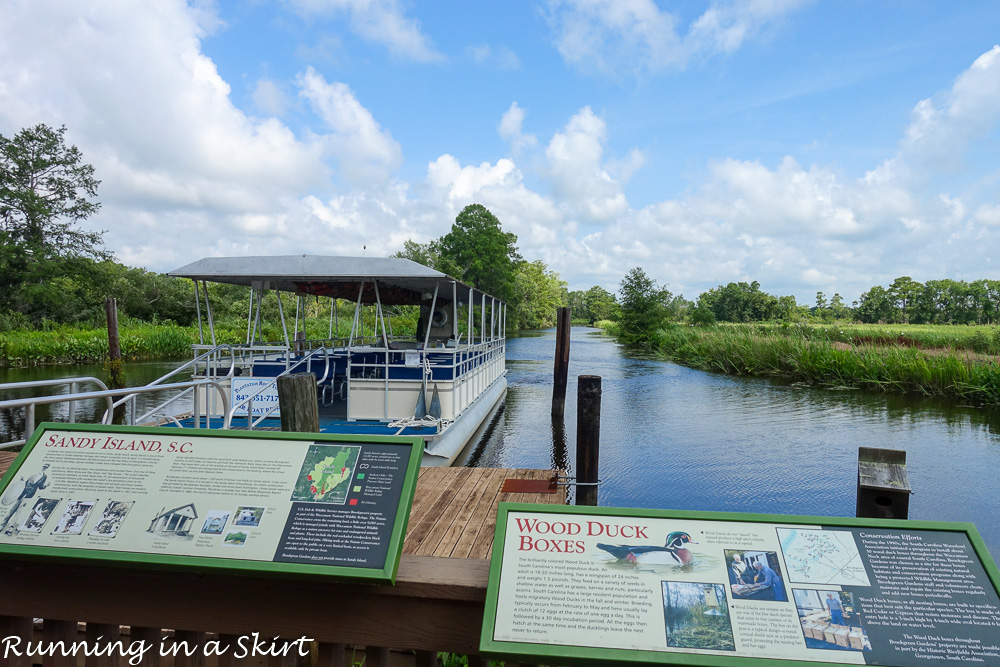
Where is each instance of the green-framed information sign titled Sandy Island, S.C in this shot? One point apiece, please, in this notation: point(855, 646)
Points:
point(330, 505)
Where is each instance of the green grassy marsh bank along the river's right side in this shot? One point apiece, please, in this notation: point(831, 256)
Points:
point(953, 362)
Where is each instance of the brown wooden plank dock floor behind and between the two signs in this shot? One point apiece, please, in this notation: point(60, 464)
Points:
point(454, 509)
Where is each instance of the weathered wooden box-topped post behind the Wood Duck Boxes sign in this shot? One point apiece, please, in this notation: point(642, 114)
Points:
point(883, 485)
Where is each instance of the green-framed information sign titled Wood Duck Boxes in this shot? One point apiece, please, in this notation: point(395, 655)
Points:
point(581, 585)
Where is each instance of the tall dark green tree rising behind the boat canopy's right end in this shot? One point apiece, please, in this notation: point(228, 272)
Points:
point(481, 253)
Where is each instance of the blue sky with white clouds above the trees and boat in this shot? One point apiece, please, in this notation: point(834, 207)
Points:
point(829, 145)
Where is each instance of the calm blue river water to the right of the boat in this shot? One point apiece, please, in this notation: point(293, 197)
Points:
point(672, 437)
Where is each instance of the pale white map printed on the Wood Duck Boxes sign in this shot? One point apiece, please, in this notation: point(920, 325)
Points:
point(822, 557)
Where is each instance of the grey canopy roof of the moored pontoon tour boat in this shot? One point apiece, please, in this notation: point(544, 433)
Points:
point(400, 281)
